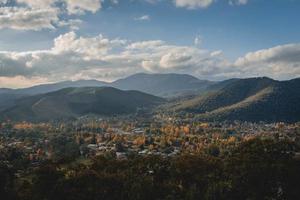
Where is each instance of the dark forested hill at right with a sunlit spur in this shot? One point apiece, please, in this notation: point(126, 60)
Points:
point(254, 99)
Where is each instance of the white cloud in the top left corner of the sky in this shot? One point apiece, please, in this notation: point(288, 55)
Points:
point(45, 14)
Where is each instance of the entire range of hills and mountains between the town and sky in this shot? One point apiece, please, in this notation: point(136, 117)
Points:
point(252, 99)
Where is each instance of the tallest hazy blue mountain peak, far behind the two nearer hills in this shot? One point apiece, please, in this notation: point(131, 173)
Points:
point(164, 85)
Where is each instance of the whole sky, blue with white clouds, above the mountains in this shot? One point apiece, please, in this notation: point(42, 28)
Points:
point(45, 41)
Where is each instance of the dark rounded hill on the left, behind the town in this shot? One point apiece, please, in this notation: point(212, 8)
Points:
point(75, 102)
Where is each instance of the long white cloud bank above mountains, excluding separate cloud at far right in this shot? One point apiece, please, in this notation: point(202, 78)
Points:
point(74, 57)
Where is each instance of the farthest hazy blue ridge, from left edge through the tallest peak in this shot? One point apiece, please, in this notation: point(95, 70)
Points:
point(164, 85)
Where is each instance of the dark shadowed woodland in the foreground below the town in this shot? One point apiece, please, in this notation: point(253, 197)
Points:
point(255, 169)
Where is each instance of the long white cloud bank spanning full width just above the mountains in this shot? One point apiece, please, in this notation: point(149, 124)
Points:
point(74, 57)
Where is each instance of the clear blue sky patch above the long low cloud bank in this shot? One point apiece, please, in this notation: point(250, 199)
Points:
point(234, 29)
